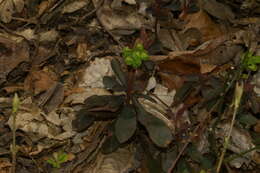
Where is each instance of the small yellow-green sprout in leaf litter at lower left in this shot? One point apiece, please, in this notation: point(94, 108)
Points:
point(57, 159)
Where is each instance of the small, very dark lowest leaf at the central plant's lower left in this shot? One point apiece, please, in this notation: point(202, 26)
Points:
point(110, 145)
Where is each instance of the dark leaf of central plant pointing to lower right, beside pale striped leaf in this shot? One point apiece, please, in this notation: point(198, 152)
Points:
point(158, 131)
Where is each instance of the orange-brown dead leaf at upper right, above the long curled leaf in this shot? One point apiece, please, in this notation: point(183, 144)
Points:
point(202, 22)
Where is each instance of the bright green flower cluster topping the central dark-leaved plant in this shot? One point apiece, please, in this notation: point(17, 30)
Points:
point(134, 57)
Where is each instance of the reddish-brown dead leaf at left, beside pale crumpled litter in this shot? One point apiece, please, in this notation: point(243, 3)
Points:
point(39, 81)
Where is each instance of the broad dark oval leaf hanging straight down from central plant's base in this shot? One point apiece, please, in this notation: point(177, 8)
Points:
point(126, 124)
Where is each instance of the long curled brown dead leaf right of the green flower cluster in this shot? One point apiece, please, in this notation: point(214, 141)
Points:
point(203, 59)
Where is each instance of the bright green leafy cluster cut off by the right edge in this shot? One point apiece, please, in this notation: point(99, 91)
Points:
point(250, 61)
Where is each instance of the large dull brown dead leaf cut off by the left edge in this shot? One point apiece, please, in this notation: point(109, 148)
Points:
point(12, 54)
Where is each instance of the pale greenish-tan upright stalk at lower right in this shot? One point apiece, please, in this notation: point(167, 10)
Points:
point(237, 99)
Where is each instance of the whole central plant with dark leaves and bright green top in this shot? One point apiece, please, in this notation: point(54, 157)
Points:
point(127, 112)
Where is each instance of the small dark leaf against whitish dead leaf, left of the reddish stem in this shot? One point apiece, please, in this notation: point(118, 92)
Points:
point(111, 83)
